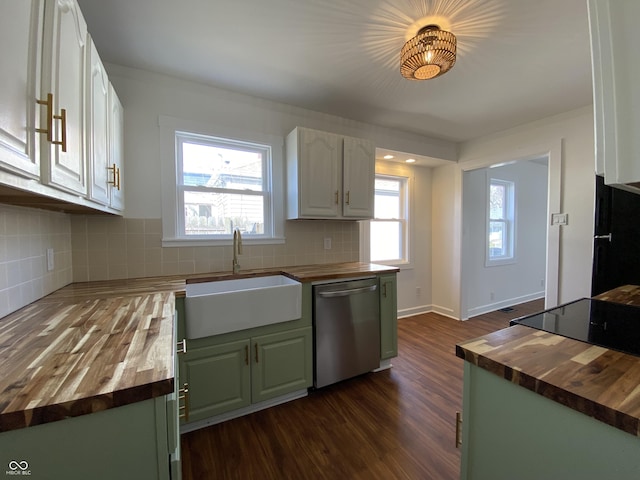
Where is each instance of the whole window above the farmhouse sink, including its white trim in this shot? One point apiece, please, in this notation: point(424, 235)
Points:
point(216, 179)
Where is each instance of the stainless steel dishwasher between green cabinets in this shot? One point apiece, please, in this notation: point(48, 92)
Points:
point(346, 321)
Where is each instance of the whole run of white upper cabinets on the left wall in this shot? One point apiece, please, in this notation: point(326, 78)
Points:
point(60, 120)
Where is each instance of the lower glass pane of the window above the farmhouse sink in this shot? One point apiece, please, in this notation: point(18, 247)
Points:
point(207, 213)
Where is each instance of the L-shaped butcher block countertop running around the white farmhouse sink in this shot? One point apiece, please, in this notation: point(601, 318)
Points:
point(97, 345)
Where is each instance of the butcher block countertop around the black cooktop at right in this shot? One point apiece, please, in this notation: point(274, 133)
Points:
point(601, 383)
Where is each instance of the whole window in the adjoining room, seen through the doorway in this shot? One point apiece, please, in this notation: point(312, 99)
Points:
point(500, 222)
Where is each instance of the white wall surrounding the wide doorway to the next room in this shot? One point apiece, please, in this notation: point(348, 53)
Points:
point(574, 131)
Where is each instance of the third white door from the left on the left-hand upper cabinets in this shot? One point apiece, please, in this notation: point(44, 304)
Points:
point(97, 127)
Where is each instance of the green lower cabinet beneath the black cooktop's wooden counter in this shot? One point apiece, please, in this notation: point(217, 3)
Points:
point(509, 432)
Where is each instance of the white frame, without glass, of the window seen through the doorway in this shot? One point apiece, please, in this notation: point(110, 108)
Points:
point(508, 220)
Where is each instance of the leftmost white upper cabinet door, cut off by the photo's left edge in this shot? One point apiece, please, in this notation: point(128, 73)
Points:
point(20, 54)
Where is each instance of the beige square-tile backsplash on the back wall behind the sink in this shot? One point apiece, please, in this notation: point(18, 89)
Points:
point(107, 248)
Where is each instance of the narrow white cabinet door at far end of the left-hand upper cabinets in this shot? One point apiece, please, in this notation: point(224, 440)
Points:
point(116, 151)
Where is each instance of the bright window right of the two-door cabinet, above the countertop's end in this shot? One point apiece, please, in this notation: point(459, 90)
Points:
point(388, 230)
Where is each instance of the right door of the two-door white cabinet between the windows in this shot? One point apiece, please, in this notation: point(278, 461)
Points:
point(359, 165)
